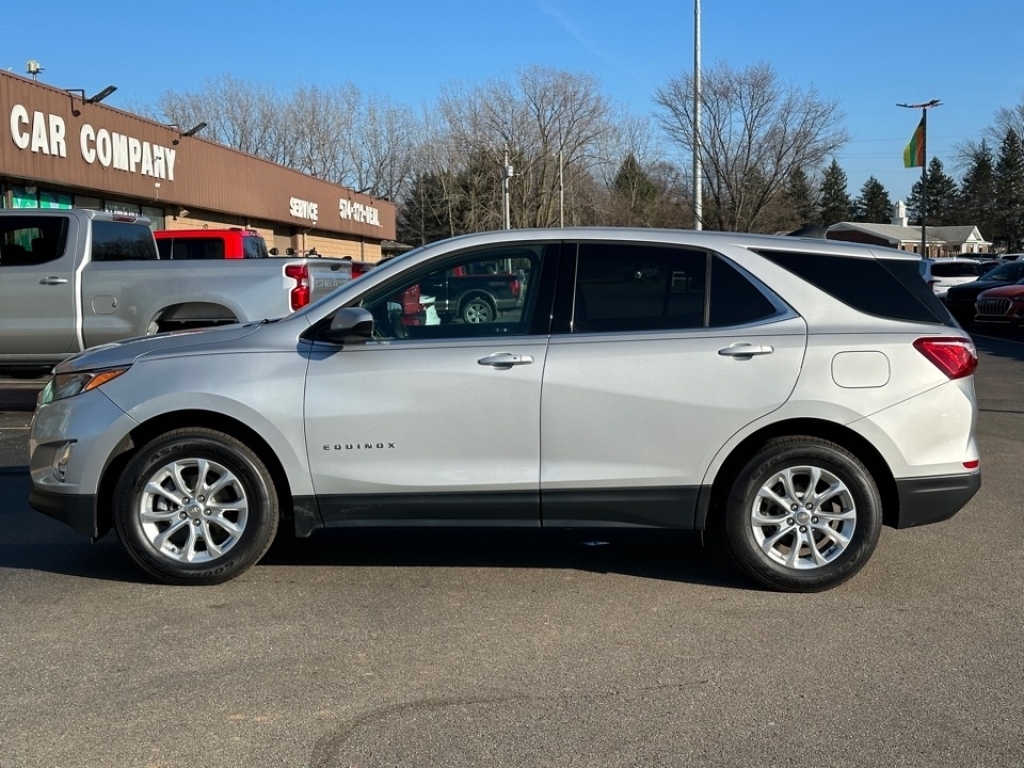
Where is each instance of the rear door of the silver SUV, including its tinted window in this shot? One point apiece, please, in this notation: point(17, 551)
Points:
point(647, 379)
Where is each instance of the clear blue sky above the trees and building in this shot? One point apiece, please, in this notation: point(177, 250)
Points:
point(869, 56)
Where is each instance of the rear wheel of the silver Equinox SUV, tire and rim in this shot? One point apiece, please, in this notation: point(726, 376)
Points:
point(836, 533)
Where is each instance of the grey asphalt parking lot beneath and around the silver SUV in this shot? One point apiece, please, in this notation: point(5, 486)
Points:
point(521, 650)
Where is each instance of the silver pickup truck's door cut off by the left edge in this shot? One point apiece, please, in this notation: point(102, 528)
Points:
point(37, 270)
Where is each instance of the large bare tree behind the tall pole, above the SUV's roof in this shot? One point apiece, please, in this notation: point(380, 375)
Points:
point(756, 132)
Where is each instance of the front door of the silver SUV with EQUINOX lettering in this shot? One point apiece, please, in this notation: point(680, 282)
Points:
point(432, 421)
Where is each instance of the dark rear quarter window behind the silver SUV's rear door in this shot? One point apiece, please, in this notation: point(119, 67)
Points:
point(886, 288)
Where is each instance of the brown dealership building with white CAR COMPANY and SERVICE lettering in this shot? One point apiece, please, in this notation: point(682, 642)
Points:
point(65, 149)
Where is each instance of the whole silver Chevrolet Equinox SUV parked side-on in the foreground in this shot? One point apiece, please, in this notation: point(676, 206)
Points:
point(790, 396)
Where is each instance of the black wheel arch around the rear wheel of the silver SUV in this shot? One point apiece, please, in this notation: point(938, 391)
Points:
point(826, 431)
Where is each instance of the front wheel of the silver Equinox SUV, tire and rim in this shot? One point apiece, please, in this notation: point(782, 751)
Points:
point(181, 537)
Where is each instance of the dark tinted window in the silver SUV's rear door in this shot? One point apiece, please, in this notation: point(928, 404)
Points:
point(627, 287)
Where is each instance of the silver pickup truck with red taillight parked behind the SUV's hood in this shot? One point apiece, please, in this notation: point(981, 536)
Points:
point(74, 279)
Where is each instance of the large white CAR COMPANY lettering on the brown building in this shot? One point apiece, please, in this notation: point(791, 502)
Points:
point(48, 135)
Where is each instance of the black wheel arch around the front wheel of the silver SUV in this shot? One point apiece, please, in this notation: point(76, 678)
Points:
point(146, 432)
